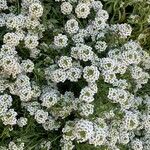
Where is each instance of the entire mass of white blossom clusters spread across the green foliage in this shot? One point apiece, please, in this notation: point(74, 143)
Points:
point(88, 58)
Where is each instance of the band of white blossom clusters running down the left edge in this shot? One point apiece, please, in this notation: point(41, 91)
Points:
point(12, 65)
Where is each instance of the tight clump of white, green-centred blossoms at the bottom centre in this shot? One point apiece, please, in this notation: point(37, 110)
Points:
point(84, 130)
